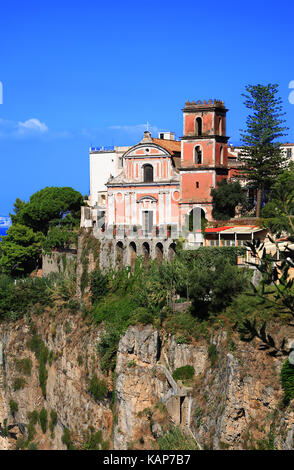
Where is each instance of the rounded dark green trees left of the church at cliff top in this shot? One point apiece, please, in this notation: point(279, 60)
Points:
point(47, 221)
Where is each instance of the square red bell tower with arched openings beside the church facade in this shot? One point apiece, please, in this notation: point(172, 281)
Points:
point(204, 153)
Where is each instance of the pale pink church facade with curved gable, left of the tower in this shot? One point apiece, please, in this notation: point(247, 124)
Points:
point(146, 194)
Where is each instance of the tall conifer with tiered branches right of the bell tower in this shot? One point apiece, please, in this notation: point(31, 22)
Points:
point(261, 156)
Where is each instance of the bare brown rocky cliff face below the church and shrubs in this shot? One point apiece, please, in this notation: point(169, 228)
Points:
point(233, 400)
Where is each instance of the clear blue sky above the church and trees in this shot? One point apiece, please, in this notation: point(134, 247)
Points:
point(80, 73)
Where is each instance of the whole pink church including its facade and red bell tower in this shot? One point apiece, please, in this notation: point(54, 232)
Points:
point(162, 181)
